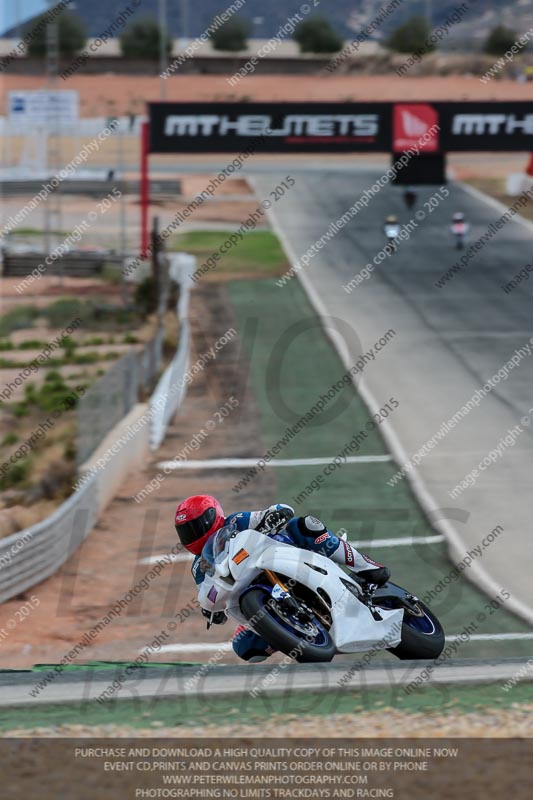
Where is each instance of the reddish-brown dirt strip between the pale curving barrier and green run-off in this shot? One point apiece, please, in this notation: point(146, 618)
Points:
point(108, 564)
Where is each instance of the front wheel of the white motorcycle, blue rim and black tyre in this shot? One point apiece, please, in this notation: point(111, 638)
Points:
point(306, 642)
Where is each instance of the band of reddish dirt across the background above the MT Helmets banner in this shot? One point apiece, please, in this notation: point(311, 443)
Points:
point(121, 94)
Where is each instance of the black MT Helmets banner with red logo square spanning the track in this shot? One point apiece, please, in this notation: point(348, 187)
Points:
point(340, 127)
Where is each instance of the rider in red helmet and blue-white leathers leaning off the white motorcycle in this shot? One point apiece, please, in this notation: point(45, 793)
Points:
point(198, 518)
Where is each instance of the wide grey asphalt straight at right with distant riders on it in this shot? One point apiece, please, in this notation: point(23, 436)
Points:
point(449, 342)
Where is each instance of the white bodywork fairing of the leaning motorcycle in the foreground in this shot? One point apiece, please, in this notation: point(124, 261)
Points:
point(248, 553)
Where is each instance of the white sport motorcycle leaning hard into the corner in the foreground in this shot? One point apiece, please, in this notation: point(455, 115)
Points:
point(307, 606)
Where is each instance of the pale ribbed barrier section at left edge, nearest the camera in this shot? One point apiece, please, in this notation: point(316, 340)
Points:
point(31, 555)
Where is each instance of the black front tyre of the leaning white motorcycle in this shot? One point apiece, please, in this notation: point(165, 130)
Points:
point(255, 607)
